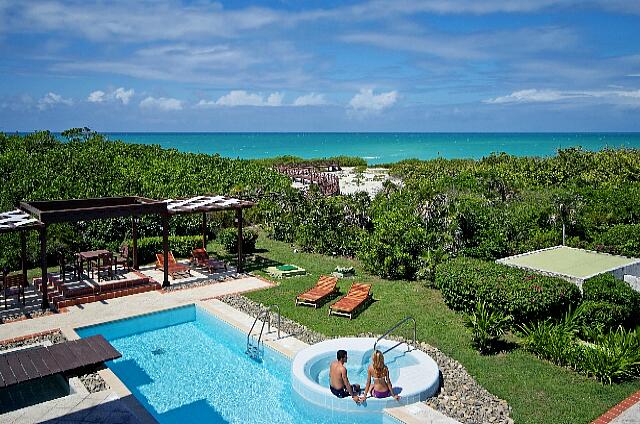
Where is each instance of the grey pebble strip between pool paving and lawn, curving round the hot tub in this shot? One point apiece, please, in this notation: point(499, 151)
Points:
point(460, 396)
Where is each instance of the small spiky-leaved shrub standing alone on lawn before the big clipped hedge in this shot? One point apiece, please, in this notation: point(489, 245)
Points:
point(487, 326)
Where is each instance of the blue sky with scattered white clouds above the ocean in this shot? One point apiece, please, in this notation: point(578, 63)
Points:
point(302, 65)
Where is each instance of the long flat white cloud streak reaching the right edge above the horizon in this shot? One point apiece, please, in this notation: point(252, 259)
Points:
point(540, 96)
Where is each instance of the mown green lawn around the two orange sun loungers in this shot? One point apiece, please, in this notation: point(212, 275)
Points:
point(537, 391)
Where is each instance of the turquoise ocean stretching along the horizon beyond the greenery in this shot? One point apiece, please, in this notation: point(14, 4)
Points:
point(379, 148)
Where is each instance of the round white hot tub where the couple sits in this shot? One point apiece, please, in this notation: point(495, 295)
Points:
point(414, 374)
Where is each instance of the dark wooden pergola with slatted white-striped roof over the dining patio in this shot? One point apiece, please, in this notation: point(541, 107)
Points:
point(45, 213)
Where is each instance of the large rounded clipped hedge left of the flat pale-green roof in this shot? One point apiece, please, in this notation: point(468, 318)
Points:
point(525, 296)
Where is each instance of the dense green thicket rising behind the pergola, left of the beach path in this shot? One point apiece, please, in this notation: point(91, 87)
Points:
point(39, 167)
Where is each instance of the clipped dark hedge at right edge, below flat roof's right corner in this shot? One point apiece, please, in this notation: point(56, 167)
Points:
point(607, 288)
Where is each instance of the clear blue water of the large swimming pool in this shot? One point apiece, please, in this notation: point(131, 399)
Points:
point(185, 365)
